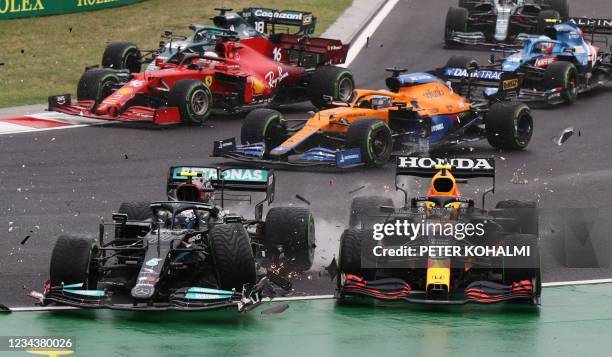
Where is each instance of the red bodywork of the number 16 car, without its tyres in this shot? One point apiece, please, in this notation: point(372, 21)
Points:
point(238, 73)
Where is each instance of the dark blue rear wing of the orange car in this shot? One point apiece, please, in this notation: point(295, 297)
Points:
point(501, 85)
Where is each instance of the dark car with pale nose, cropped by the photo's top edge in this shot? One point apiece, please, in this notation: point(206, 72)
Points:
point(491, 22)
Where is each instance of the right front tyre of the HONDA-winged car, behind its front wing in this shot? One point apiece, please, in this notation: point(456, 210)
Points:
point(525, 267)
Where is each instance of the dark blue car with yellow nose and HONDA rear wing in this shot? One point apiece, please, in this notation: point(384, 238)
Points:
point(451, 251)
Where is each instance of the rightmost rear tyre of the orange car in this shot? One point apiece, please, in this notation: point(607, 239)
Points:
point(509, 126)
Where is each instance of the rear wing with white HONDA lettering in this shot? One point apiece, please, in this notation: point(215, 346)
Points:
point(461, 168)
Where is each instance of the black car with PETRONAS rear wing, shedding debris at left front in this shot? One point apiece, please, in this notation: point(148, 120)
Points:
point(188, 252)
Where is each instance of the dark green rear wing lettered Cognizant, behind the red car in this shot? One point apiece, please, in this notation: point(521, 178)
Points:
point(271, 21)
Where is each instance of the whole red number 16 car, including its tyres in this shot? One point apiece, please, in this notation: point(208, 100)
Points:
point(230, 73)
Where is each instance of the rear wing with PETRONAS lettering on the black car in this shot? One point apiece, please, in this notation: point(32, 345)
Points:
point(228, 179)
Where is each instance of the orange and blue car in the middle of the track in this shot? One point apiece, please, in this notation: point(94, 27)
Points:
point(418, 112)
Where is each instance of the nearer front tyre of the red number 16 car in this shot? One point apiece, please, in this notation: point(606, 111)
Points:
point(193, 99)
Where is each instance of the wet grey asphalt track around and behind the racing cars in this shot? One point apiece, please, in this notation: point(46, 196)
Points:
point(66, 180)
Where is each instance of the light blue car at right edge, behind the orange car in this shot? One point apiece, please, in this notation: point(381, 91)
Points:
point(555, 67)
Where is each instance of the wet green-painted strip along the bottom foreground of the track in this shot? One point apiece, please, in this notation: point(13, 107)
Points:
point(329, 328)
